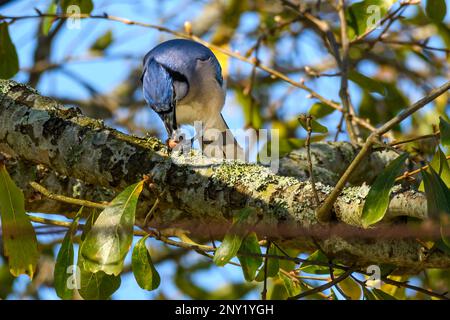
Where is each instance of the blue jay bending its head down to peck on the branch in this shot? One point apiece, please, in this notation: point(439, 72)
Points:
point(182, 82)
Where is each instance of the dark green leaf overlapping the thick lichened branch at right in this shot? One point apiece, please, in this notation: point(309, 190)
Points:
point(377, 201)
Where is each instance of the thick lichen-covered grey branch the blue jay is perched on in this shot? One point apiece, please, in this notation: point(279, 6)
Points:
point(70, 152)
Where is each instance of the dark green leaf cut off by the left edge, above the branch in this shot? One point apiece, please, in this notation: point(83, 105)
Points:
point(9, 62)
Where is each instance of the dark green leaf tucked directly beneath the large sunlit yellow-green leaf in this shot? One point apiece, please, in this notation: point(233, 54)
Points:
point(98, 285)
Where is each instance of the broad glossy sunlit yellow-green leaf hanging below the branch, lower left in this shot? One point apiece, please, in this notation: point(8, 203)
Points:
point(109, 240)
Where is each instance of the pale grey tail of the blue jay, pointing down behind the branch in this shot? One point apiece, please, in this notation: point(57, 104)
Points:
point(219, 142)
